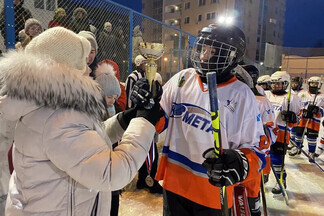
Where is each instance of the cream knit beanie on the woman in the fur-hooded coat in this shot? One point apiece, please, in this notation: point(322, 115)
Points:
point(63, 46)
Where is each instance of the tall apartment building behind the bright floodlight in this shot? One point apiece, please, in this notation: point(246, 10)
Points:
point(261, 20)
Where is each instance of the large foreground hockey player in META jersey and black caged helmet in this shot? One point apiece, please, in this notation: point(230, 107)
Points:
point(189, 187)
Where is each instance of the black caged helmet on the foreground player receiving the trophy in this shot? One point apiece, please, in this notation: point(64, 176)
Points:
point(226, 48)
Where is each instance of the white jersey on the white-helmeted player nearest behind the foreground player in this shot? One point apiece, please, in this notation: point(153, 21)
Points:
point(279, 103)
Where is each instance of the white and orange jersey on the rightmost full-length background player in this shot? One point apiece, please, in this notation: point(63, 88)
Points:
point(306, 99)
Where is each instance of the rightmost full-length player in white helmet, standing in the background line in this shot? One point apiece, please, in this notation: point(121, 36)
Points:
point(310, 117)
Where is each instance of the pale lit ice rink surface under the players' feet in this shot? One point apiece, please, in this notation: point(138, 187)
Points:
point(305, 188)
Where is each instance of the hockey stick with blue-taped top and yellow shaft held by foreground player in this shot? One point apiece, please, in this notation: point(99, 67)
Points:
point(212, 89)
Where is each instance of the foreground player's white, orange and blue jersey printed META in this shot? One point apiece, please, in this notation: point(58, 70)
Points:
point(185, 101)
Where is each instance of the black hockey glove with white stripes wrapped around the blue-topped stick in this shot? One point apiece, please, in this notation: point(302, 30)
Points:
point(230, 168)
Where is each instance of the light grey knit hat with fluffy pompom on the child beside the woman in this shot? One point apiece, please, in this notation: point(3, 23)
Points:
point(107, 80)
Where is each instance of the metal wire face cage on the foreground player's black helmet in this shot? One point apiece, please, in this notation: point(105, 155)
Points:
point(212, 55)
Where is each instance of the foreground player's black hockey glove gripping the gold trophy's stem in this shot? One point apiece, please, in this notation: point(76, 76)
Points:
point(141, 94)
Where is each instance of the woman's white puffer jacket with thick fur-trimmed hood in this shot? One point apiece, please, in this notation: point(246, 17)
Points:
point(62, 153)
